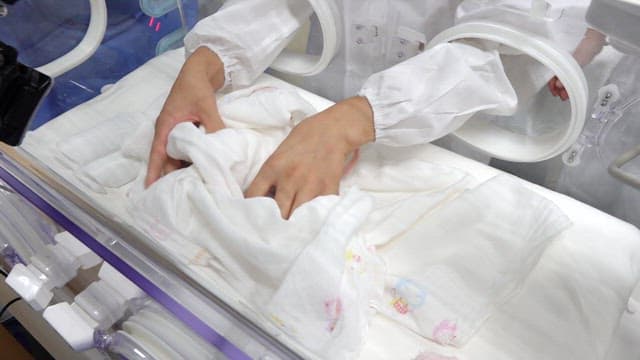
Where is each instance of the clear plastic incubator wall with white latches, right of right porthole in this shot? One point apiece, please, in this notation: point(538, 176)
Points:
point(602, 167)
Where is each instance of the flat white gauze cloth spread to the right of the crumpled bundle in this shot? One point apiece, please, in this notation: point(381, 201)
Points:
point(474, 253)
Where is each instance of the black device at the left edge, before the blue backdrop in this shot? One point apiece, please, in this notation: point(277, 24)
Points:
point(22, 88)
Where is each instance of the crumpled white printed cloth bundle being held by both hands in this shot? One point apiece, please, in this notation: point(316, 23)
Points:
point(313, 276)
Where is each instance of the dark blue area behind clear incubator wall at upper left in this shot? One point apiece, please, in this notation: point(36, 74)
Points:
point(43, 30)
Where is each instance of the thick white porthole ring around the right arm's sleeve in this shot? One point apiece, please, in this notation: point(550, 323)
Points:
point(507, 145)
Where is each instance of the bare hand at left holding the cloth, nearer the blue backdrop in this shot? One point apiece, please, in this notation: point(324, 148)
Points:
point(192, 98)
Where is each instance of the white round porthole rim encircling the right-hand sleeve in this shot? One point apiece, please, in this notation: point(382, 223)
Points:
point(540, 128)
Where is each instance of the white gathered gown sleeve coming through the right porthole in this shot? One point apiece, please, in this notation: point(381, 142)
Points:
point(435, 92)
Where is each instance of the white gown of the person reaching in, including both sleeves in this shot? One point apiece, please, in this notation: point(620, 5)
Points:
point(415, 100)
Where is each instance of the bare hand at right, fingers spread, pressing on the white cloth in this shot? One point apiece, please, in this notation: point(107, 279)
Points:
point(310, 161)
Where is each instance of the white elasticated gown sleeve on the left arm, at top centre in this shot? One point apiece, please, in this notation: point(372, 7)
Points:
point(248, 35)
